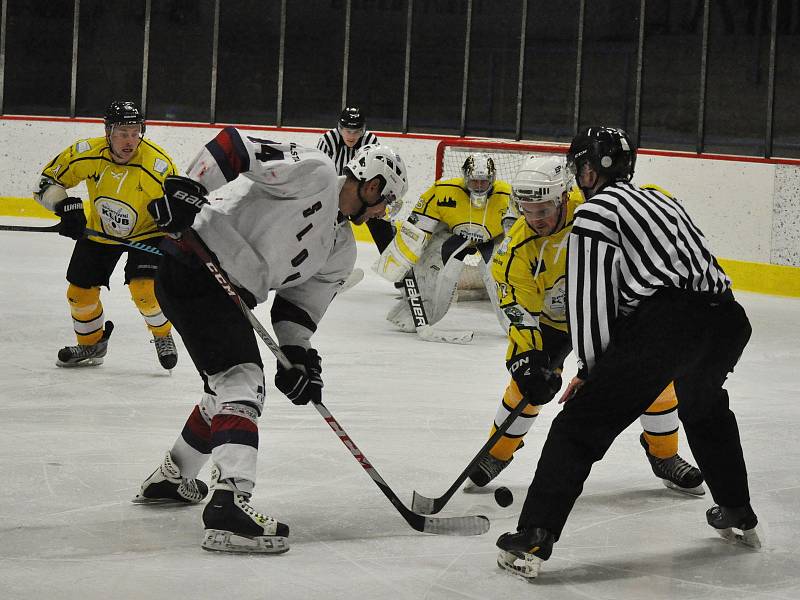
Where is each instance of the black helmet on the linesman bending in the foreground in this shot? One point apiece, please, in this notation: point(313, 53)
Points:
point(608, 150)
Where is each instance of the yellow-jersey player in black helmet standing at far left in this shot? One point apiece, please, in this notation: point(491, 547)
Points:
point(123, 172)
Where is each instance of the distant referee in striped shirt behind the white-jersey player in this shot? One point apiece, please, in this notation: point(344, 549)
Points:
point(341, 144)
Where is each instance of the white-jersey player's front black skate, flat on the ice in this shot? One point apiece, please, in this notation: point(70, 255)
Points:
point(232, 525)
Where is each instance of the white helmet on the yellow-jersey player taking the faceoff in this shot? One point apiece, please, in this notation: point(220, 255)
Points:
point(540, 184)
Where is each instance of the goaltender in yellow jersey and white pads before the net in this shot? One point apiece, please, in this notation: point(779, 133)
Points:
point(455, 223)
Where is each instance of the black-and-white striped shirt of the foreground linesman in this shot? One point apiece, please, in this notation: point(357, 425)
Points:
point(626, 243)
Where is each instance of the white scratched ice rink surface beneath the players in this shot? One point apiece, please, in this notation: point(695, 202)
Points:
point(76, 444)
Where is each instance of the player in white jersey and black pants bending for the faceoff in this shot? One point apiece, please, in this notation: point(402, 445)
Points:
point(284, 230)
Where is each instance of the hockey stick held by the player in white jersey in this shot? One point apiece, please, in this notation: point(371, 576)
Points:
point(469, 525)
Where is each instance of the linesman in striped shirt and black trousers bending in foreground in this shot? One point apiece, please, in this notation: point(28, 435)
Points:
point(647, 303)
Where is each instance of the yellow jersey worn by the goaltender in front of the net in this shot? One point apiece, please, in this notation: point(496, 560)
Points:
point(447, 204)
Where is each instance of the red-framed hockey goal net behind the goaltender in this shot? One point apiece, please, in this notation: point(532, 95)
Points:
point(507, 157)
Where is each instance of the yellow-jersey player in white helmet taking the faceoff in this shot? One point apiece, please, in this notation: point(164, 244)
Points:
point(529, 268)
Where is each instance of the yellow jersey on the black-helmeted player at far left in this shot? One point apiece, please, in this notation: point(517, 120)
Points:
point(118, 194)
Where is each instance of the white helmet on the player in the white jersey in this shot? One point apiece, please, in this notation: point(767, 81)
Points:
point(376, 160)
